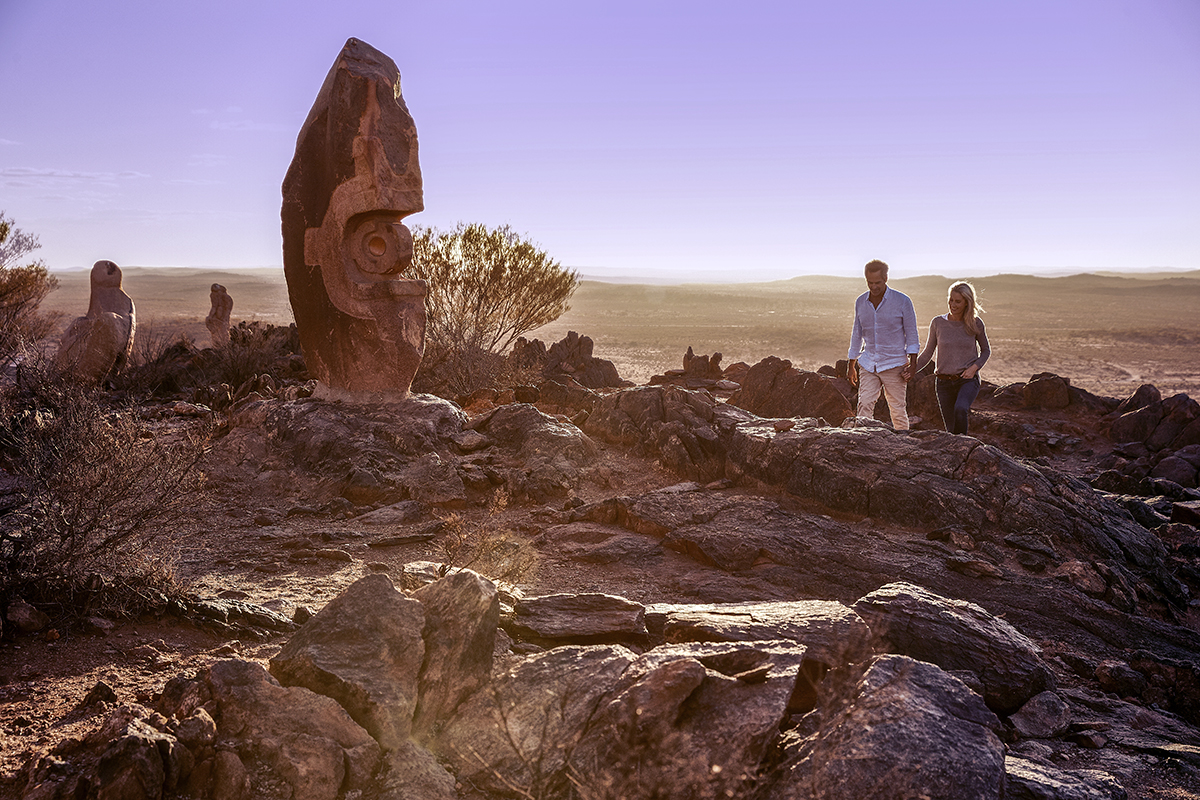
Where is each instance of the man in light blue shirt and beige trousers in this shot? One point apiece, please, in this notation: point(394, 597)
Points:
point(884, 346)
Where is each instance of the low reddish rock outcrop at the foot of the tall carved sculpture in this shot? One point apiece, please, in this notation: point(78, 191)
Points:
point(419, 449)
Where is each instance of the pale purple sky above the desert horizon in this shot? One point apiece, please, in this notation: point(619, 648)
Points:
point(680, 141)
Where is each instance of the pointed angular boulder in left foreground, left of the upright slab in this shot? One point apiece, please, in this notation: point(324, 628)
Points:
point(365, 651)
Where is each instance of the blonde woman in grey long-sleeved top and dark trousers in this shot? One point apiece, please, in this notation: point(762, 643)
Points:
point(962, 351)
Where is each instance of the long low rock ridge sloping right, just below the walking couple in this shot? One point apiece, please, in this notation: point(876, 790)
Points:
point(925, 479)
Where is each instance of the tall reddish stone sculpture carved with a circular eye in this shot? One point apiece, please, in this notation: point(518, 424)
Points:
point(353, 179)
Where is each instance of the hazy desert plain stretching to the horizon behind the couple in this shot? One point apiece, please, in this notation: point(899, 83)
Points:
point(1108, 333)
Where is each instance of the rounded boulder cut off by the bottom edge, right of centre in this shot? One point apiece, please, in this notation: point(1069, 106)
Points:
point(904, 730)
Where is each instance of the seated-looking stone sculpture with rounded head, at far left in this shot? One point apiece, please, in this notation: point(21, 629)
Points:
point(100, 344)
